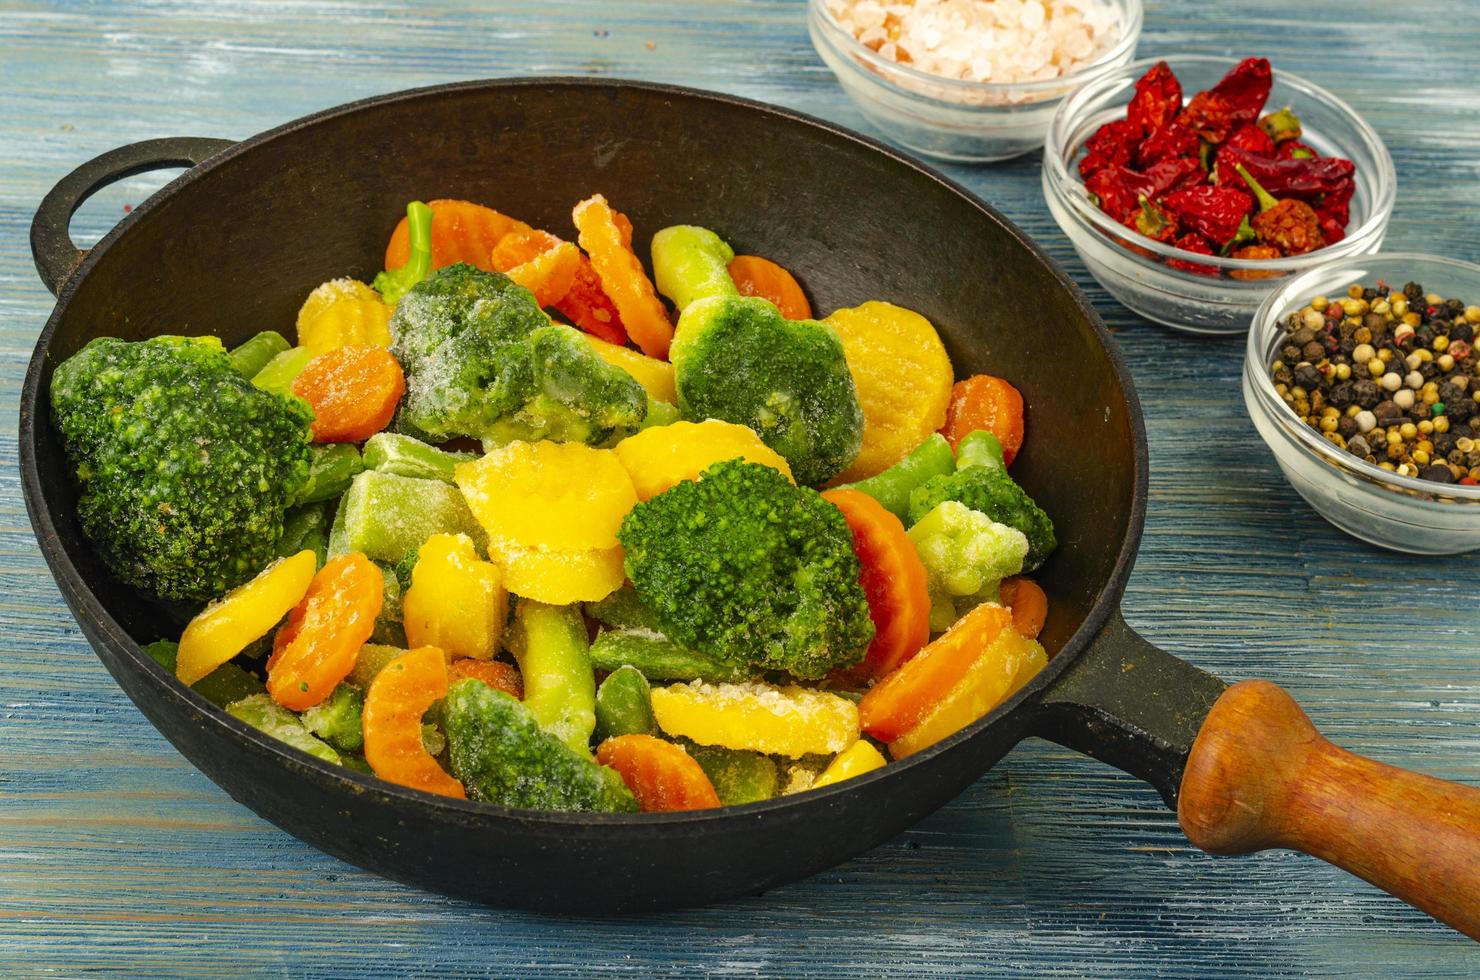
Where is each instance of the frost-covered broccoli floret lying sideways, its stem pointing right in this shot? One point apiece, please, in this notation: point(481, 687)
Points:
point(483, 360)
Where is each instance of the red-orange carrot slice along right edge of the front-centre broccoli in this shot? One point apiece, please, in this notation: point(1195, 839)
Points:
point(893, 580)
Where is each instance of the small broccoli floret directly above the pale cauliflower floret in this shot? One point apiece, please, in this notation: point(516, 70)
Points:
point(983, 485)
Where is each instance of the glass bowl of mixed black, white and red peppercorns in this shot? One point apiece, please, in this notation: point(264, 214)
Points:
point(1364, 377)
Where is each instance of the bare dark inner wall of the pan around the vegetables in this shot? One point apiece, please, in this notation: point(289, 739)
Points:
point(236, 249)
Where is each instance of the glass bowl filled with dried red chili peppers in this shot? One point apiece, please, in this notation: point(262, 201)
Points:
point(1194, 187)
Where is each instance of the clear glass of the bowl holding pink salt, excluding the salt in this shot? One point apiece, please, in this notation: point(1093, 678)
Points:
point(949, 119)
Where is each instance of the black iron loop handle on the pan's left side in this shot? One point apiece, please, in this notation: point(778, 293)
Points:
point(53, 248)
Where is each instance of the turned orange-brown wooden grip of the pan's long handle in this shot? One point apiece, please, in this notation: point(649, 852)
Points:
point(1262, 776)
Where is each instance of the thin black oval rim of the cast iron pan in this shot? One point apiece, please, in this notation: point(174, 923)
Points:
point(85, 603)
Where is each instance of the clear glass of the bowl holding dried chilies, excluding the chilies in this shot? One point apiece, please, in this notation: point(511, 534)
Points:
point(1226, 298)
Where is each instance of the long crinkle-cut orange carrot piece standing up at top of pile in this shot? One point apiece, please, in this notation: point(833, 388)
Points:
point(608, 239)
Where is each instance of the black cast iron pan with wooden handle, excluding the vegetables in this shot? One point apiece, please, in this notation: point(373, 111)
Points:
point(238, 242)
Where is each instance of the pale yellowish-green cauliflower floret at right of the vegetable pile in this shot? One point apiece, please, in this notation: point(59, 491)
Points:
point(966, 556)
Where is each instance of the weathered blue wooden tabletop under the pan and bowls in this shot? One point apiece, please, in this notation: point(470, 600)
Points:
point(118, 856)
